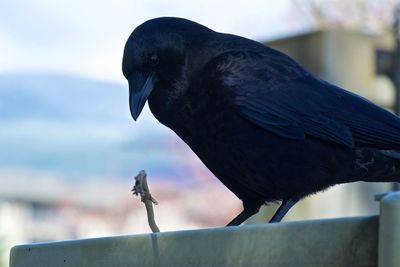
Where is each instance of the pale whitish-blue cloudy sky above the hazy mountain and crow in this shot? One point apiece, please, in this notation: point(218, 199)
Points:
point(87, 37)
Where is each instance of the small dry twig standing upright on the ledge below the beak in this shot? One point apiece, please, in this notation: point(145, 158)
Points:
point(141, 188)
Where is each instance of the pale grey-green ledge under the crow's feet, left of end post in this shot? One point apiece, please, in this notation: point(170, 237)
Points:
point(335, 243)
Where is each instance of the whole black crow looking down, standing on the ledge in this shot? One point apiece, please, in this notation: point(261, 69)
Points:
point(267, 128)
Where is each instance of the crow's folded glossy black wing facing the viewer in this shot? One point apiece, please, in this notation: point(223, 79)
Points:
point(274, 92)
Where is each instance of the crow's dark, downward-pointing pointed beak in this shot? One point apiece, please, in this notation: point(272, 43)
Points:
point(140, 87)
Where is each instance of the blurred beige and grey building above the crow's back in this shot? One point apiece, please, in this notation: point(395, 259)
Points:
point(345, 58)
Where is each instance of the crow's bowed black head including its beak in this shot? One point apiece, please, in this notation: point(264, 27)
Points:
point(157, 60)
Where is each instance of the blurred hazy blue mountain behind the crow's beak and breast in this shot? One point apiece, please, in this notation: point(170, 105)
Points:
point(79, 128)
